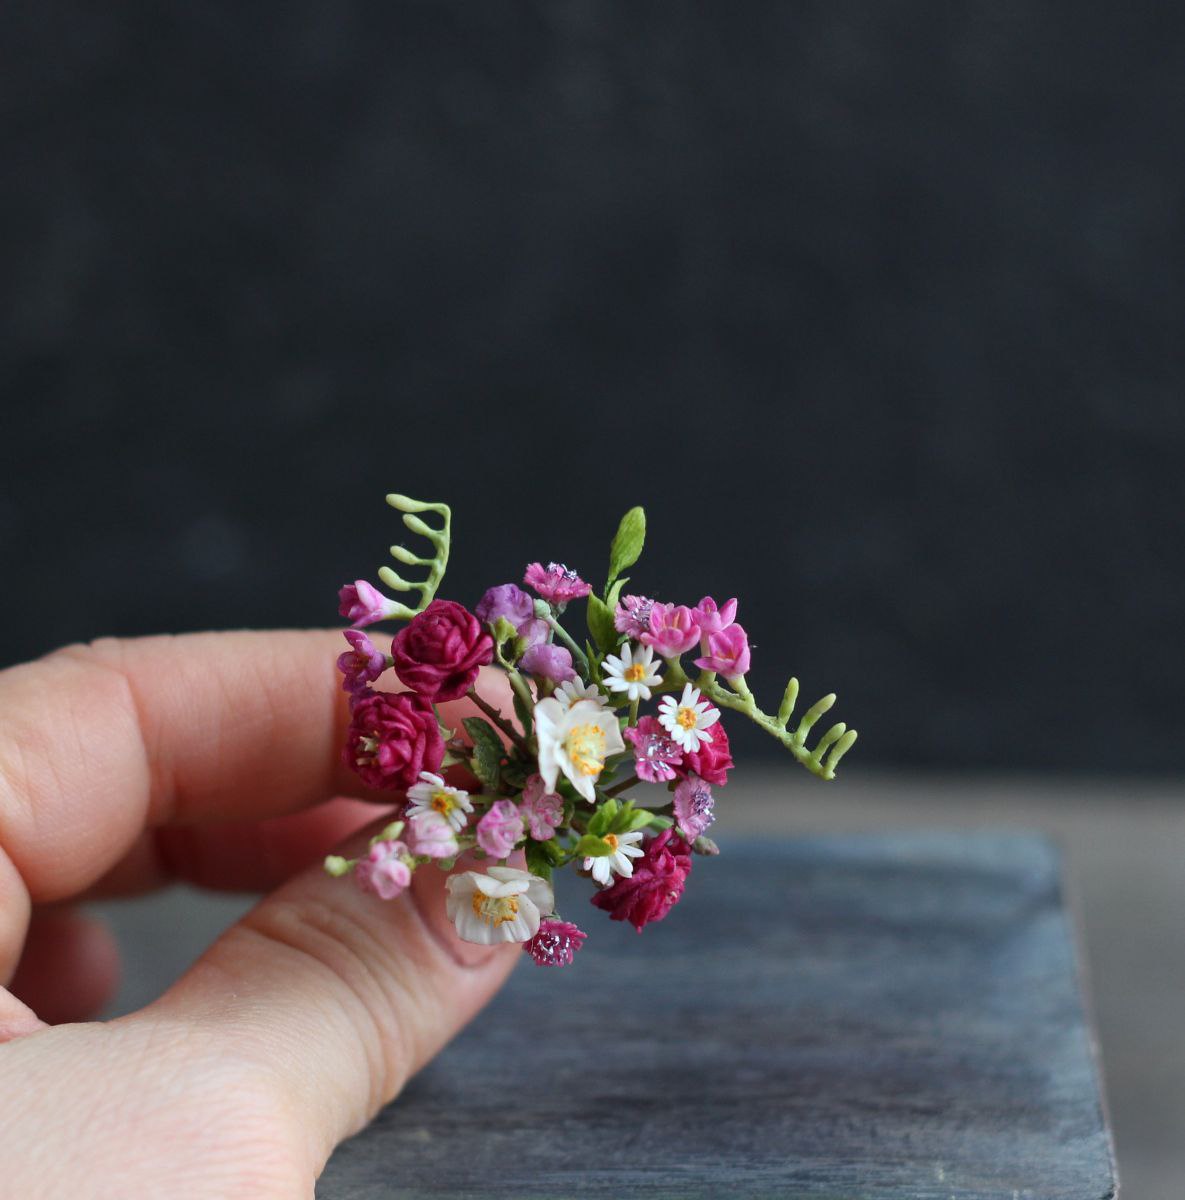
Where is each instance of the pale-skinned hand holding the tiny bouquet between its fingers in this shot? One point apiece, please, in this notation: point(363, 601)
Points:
point(213, 759)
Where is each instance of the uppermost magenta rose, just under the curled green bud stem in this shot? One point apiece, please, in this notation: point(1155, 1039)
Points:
point(441, 651)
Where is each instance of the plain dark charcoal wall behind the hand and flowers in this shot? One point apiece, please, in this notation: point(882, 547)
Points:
point(877, 308)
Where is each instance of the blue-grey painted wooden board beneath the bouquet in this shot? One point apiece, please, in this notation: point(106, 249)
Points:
point(858, 1017)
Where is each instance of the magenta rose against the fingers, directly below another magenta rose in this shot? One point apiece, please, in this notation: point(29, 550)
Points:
point(393, 737)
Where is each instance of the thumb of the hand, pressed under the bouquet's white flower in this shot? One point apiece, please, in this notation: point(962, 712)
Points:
point(341, 994)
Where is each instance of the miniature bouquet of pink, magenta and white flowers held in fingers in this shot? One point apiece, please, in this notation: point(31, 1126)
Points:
point(607, 757)
